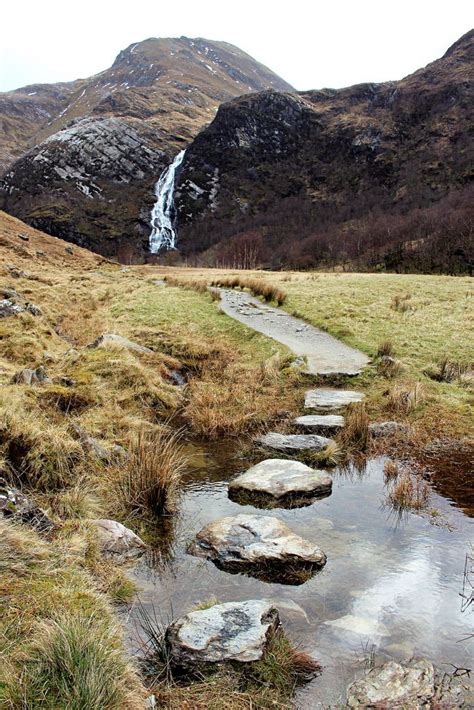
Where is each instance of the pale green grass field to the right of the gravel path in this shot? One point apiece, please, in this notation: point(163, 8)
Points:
point(358, 309)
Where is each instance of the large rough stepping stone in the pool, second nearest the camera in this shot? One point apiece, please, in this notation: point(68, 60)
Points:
point(260, 546)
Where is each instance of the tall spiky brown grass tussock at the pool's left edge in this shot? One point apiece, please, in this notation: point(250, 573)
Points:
point(149, 482)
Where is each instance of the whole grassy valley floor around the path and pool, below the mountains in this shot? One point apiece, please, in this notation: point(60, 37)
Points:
point(237, 382)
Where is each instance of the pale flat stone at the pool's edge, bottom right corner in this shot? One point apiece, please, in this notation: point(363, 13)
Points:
point(408, 685)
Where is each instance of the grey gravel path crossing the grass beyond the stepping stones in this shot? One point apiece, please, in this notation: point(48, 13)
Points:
point(324, 353)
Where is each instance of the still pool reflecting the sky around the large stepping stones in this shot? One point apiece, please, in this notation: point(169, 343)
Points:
point(391, 585)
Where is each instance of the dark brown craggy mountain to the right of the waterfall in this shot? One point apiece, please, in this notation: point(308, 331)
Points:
point(375, 174)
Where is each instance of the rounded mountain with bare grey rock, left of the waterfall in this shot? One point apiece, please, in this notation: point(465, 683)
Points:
point(95, 147)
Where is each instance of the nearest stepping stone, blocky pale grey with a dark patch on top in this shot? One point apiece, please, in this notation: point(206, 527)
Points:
point(234, 631)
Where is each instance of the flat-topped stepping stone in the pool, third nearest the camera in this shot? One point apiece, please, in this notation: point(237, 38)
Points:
point(280, 483)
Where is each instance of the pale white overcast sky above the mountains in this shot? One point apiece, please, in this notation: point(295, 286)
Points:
point(311, 44)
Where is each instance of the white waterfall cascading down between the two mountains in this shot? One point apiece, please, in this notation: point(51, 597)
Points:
point(163, 235)
